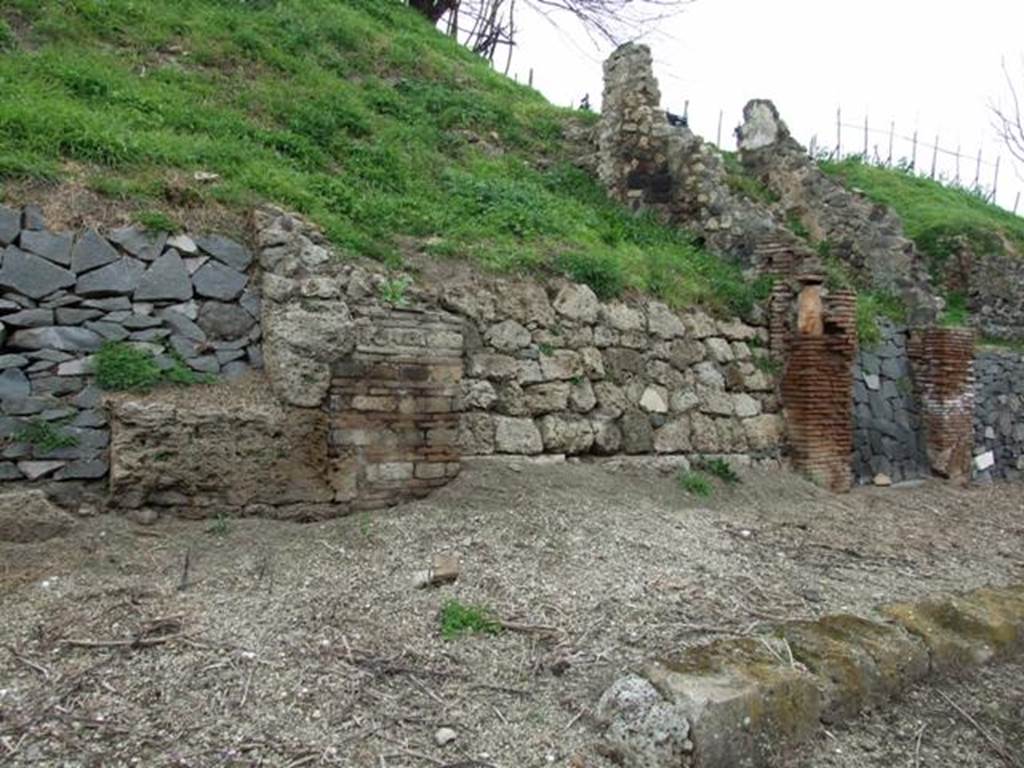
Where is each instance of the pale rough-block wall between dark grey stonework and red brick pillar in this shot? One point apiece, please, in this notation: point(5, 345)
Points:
point(536, 370)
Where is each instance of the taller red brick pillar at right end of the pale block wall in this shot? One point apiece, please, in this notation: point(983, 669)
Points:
point(818, 394)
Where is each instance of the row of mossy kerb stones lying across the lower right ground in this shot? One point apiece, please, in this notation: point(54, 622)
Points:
point(740, 704)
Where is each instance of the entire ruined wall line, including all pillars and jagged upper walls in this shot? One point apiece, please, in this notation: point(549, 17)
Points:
point(344, 388)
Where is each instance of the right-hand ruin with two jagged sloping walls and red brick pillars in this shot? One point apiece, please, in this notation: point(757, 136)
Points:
point(922, 421)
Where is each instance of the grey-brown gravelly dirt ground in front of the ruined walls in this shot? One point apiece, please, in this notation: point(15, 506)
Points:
point(295, 646)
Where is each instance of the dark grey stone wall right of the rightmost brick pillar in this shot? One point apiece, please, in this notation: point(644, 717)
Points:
point(999, 414)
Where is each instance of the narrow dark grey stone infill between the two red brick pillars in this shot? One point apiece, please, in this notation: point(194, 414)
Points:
point(888, 440)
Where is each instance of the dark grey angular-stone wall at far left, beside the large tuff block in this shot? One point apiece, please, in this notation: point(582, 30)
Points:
point(64, 295)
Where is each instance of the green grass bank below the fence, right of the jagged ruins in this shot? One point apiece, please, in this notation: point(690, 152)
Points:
point(935, 216)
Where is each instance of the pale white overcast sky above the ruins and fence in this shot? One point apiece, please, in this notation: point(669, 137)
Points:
point(932, 66)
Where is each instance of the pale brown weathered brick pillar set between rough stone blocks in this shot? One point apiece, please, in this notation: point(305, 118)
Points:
point(393, 410)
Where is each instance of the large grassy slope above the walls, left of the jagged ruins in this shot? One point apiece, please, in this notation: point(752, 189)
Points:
point(354, 112)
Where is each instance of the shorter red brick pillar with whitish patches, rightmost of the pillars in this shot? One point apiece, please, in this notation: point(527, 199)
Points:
point(943, 362)
